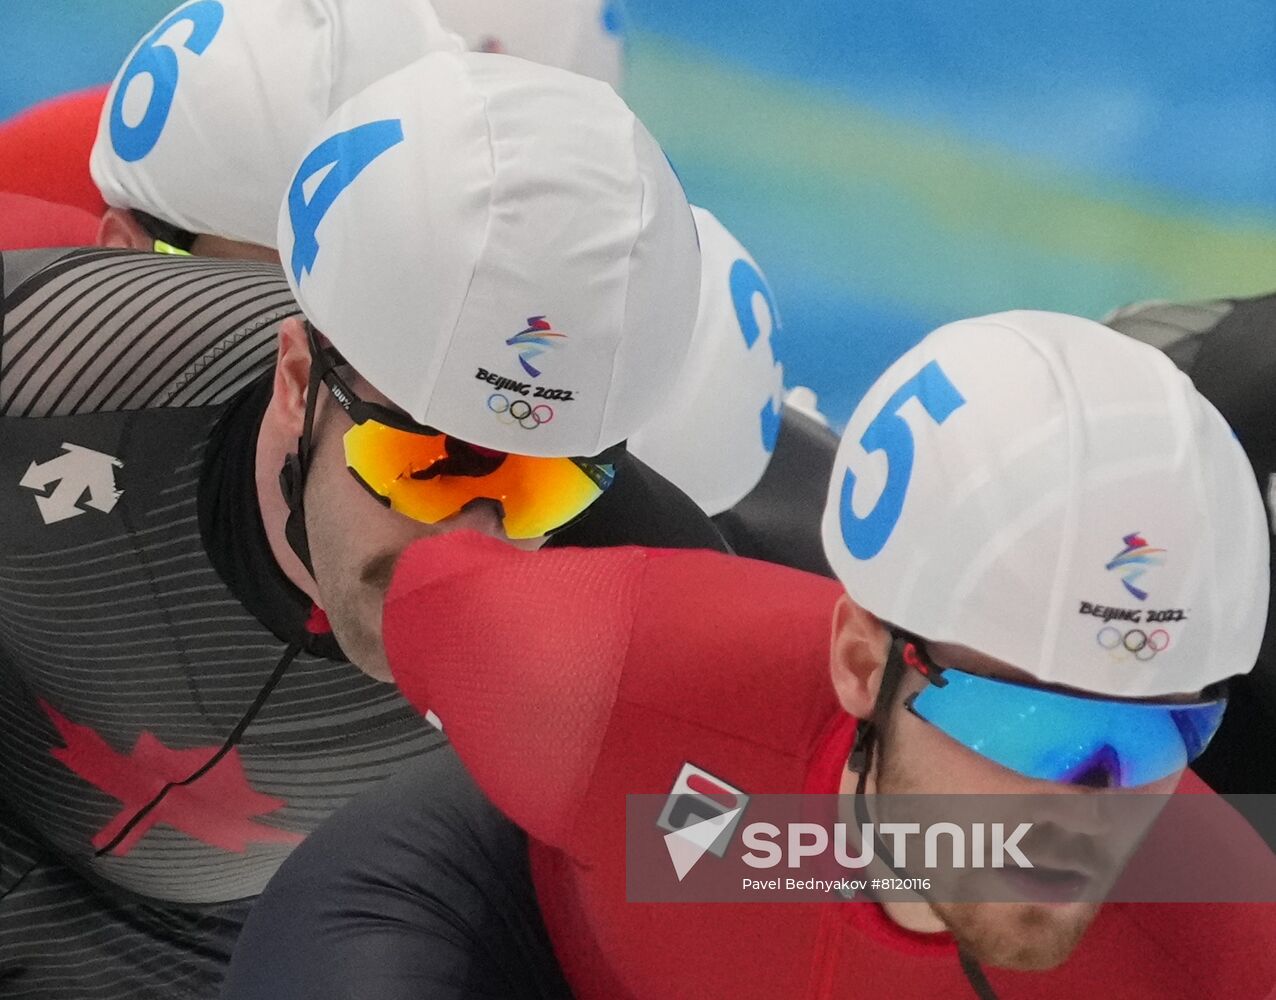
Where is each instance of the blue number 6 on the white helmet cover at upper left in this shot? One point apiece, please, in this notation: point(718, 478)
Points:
point(160, 63)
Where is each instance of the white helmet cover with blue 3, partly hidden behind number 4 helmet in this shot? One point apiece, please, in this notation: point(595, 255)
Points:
point(715, 437)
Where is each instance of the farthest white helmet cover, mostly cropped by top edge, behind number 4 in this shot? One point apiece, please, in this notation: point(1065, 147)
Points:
point(584, 36)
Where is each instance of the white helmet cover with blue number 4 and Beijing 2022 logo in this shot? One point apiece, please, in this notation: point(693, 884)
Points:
point(502, 249)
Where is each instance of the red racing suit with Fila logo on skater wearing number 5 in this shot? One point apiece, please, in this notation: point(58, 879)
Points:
point(568, 679)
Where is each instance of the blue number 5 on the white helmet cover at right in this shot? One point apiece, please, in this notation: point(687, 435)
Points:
point(890, 433)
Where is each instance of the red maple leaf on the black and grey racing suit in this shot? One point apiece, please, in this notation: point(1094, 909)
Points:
point(218, 809)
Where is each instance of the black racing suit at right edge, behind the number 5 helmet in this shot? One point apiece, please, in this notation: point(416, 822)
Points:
point(1228, 349)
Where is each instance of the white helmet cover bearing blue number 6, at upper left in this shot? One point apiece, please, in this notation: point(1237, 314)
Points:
point(212, 109)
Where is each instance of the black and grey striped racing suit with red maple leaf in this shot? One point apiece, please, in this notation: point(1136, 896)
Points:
point(142, 621)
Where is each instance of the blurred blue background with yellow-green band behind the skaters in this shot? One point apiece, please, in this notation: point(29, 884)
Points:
point(896, 166)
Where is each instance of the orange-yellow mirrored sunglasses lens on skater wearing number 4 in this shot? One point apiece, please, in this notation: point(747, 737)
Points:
point(433, 478)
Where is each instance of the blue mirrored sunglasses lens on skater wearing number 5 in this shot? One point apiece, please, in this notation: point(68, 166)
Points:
point(1060, 738)
